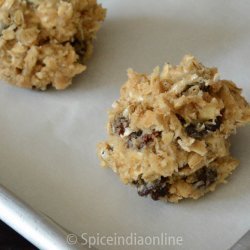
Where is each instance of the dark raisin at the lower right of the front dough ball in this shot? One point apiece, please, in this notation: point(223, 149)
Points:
point(206, 176)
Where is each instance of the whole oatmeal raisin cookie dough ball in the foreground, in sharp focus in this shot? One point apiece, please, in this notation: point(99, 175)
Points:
point(168, 132)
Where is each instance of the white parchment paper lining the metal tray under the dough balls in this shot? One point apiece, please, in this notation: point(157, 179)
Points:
point(48, 140)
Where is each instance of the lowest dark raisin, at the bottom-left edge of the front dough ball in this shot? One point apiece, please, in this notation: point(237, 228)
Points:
point(157, 189)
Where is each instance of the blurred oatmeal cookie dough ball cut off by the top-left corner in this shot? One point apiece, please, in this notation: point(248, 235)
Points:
point(46, 42)
